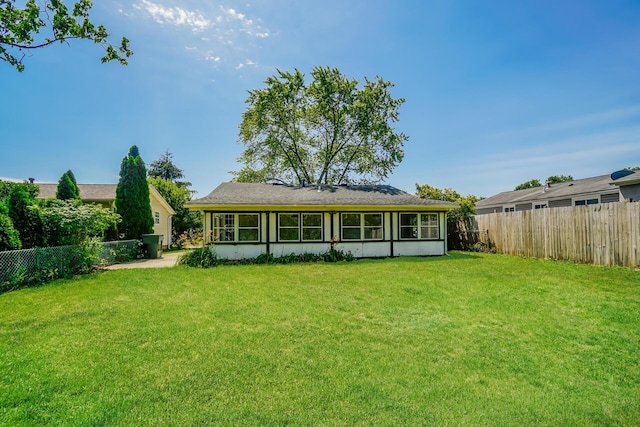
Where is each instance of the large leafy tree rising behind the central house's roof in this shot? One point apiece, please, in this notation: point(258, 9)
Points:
point(327, 132)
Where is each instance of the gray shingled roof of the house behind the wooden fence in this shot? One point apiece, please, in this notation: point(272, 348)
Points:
point(561, 190)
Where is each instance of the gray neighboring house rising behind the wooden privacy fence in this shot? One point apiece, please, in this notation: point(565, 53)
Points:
point(587, 191)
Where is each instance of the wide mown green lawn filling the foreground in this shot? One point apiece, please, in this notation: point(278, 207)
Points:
point(460, 340)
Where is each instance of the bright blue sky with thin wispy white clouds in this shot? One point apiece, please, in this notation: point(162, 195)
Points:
point(497, 92)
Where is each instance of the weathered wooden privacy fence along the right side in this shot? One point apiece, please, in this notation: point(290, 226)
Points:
point(605, 234)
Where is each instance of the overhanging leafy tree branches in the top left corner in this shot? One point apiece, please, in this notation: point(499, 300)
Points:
point(36, 25)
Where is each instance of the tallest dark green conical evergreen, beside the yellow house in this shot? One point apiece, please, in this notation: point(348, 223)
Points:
point(132, 197)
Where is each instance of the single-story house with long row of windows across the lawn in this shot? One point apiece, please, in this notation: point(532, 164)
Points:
point(245, 220)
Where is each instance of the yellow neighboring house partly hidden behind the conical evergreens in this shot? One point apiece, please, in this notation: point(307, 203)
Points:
point(105, 195)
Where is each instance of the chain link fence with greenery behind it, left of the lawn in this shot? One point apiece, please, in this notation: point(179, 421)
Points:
point(44, 264)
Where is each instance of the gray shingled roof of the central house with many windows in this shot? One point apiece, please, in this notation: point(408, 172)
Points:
point(253, 194)
